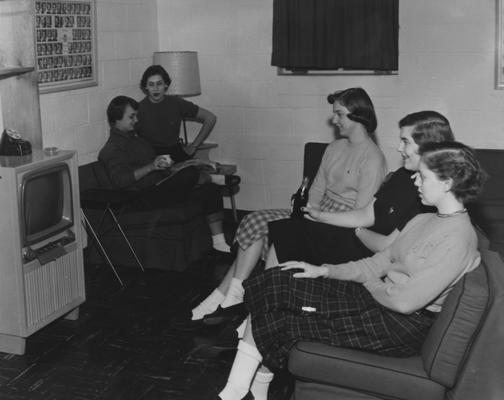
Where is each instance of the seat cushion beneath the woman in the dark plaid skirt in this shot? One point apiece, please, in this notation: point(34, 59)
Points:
point(384, 376)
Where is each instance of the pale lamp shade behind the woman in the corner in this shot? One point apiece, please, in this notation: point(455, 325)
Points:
point(183, 68)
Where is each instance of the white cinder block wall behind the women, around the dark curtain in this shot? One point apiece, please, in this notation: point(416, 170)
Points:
point(446, 63)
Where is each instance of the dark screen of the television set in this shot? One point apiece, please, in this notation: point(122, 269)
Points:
point(46, 203)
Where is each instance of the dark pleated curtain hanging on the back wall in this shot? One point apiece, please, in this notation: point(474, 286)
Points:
point(331, 34)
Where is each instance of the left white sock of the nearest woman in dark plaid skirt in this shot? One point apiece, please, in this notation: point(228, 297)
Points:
point(244, 367)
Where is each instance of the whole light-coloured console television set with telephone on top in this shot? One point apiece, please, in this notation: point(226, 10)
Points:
point(41, 242)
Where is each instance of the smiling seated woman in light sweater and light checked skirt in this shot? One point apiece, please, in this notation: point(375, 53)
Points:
point(351, 171)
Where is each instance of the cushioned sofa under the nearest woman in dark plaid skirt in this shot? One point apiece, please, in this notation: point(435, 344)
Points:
point(461, 359)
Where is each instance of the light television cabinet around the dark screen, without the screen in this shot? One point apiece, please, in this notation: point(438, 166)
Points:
point(45, 280)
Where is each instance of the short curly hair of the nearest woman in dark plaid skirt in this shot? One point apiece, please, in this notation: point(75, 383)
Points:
point(458, 162)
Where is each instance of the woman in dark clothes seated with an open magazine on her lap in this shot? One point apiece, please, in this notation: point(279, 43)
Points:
point(132, 164)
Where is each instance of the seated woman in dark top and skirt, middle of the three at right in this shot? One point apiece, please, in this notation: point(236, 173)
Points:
point(352, 235)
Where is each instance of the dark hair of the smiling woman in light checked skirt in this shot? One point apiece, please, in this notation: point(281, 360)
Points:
point(358, 102)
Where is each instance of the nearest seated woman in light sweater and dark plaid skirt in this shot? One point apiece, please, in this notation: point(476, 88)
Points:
point(383, 304)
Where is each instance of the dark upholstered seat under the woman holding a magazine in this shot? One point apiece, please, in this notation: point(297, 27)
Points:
point(169, 239)
